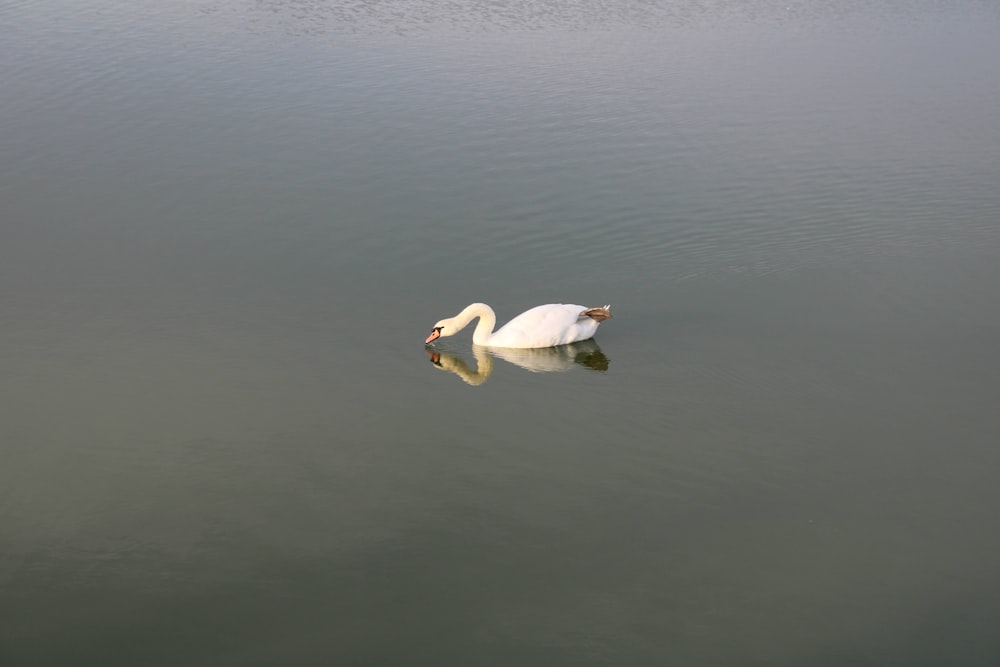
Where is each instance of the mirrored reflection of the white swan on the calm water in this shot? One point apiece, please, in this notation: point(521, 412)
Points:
point(538, 360)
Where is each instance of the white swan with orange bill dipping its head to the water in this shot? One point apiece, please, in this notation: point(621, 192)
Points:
point(542, 326)
